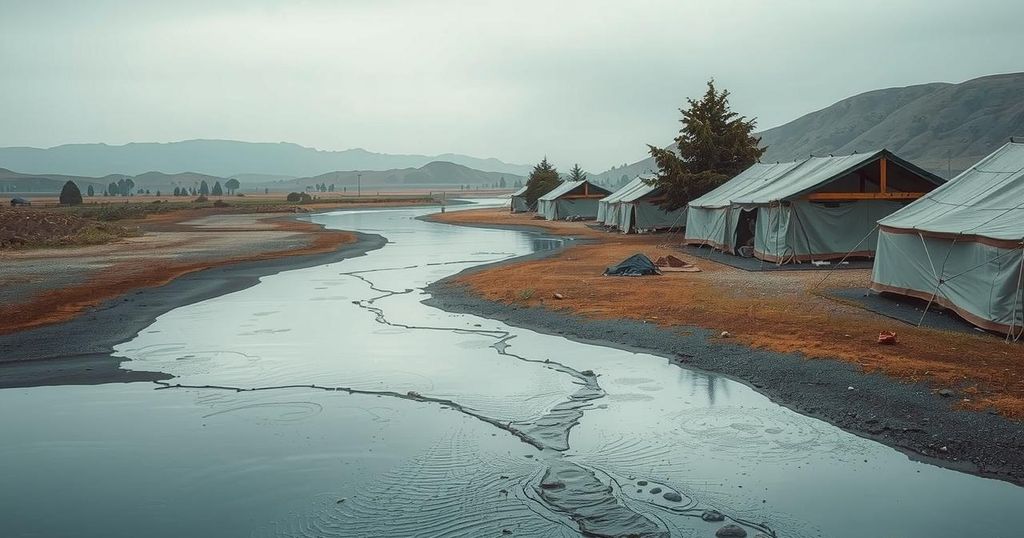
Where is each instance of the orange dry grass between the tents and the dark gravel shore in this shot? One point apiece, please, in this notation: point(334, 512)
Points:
point(781, 312)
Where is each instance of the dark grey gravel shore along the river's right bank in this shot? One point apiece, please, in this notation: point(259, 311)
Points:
point(908, 417)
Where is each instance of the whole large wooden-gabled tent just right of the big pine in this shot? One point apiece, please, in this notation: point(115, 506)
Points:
point(817, 210)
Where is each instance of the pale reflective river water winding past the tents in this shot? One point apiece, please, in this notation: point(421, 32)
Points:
point(330, 402)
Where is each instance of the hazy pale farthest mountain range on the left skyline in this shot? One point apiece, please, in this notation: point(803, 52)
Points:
point(222, 158)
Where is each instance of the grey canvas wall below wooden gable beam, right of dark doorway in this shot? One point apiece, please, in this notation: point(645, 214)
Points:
point(805, 231)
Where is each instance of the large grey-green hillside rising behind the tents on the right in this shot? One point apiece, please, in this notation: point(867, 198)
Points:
point(943, 128)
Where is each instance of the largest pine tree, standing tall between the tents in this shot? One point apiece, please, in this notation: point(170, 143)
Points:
point(714, 145)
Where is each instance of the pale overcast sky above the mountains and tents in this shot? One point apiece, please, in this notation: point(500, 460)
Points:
point(580, 81)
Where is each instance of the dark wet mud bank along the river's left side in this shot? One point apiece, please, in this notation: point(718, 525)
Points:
point(78, 351)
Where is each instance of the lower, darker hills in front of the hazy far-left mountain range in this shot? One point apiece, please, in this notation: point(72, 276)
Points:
point(438, 174)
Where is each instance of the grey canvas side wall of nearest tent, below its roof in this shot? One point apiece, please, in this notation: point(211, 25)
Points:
point(982, 282)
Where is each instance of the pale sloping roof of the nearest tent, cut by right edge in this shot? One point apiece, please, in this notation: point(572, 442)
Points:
point(987, 200)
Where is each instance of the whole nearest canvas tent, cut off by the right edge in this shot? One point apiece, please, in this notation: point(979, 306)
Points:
point(962, 246)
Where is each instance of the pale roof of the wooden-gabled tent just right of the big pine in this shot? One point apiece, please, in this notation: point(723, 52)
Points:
point(764, 184)
